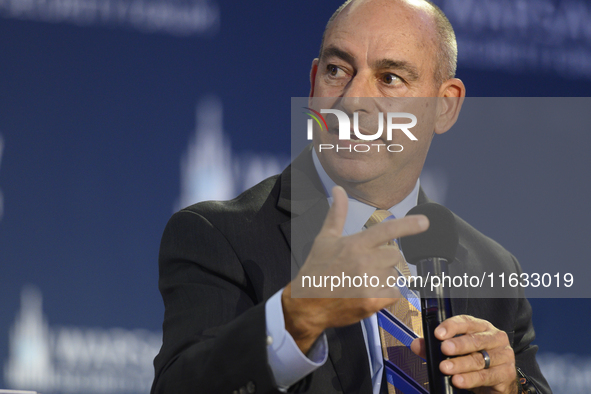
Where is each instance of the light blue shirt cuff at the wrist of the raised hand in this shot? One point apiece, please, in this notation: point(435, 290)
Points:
point(286, 360)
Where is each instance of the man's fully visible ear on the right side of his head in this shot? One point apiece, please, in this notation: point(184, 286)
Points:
point(451, 97)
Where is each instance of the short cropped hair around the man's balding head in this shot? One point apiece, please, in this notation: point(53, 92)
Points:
point(438, 30)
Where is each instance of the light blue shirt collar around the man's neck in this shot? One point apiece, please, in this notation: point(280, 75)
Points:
point(359, 212)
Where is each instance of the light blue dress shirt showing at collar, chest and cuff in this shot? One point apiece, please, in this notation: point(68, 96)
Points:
point(287, 362)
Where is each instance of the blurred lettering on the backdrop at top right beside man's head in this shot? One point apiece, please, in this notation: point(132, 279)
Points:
point(523, 35)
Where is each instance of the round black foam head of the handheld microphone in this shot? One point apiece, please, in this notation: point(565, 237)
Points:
point(440, 239)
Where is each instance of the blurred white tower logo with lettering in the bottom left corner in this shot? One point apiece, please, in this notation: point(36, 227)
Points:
point(75, 359)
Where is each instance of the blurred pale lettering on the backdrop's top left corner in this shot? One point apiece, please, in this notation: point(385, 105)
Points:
point(176, 17)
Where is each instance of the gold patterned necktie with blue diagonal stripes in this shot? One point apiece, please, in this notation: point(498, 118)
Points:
point(399, 324)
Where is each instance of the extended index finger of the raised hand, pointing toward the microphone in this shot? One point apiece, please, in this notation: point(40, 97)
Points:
point(384, 232)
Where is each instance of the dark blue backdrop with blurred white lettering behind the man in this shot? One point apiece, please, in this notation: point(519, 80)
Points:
point(114, 113)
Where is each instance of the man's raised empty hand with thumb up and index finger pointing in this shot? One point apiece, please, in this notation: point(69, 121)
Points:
point(332, 254)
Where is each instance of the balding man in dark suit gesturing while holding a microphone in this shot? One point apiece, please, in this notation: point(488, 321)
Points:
point(231, 324)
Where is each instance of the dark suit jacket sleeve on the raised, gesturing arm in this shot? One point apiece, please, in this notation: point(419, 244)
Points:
point(214, 337)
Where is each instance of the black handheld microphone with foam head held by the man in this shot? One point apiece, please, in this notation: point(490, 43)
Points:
point(432, 251)
